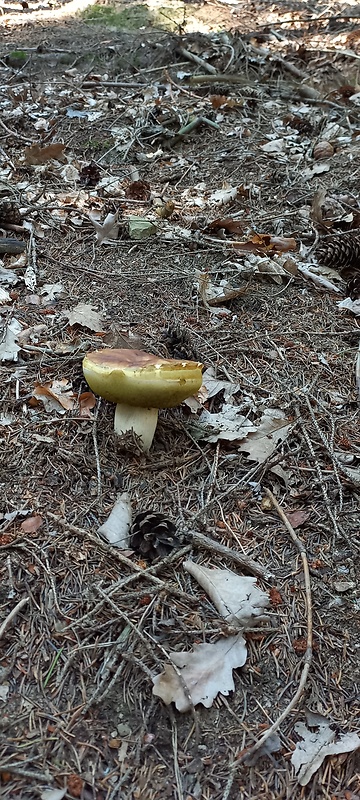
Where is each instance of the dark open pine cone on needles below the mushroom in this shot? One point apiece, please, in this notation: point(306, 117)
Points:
point(153, 535)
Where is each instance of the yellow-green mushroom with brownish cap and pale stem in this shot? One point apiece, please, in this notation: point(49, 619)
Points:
point(140, 383)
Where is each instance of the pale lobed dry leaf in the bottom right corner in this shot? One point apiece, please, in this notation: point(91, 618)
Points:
point(309, 753)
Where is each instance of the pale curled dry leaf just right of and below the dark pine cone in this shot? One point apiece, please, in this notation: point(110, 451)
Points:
point(236, 597)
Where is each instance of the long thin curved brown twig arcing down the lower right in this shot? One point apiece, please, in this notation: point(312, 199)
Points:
point(308, 654)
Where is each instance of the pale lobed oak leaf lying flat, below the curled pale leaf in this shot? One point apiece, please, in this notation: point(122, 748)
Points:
point(201, 674)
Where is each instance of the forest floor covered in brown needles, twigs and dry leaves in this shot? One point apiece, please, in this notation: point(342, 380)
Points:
point(95, 625)
